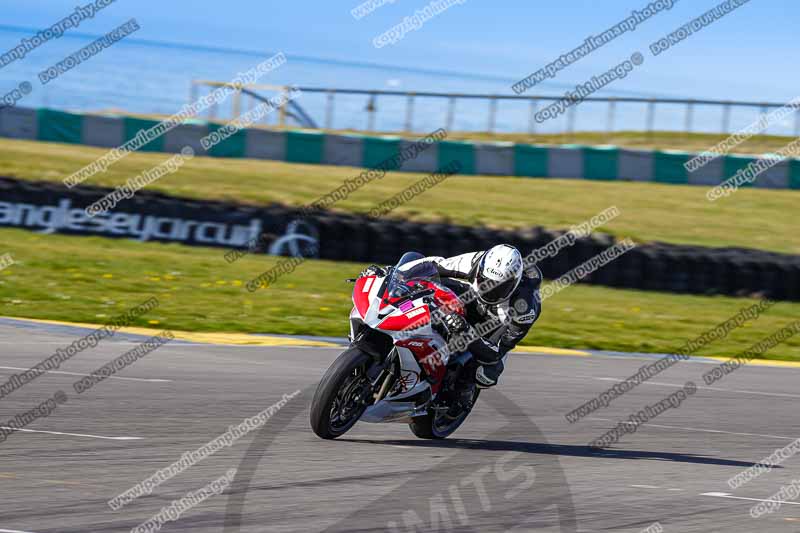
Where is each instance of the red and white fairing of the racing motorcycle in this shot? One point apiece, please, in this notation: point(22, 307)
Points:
point(421, 349)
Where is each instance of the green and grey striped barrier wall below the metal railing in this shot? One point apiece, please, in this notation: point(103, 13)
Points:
point(494, 159)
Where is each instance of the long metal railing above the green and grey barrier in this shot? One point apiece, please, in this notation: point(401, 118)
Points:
point(492, 102)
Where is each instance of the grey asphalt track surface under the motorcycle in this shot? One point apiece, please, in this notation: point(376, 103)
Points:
point(516, 465)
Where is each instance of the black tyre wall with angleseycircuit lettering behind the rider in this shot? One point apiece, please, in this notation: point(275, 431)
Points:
point(278, 229)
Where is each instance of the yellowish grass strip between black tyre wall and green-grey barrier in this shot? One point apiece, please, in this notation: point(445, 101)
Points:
point(650, 212)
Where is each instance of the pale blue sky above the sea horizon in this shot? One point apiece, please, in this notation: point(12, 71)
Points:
point(750, 54)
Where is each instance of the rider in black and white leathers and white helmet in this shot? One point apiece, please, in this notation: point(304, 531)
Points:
point(501, 298)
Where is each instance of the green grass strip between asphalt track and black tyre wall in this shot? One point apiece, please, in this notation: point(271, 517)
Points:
point(83, 279)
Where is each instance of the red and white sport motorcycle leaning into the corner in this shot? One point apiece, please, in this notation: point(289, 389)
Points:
point(397, 367)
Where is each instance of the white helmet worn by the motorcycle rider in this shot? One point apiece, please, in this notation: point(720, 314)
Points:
point(498, 275)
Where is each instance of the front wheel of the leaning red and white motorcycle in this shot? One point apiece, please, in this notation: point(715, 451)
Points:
point(342, 395)
